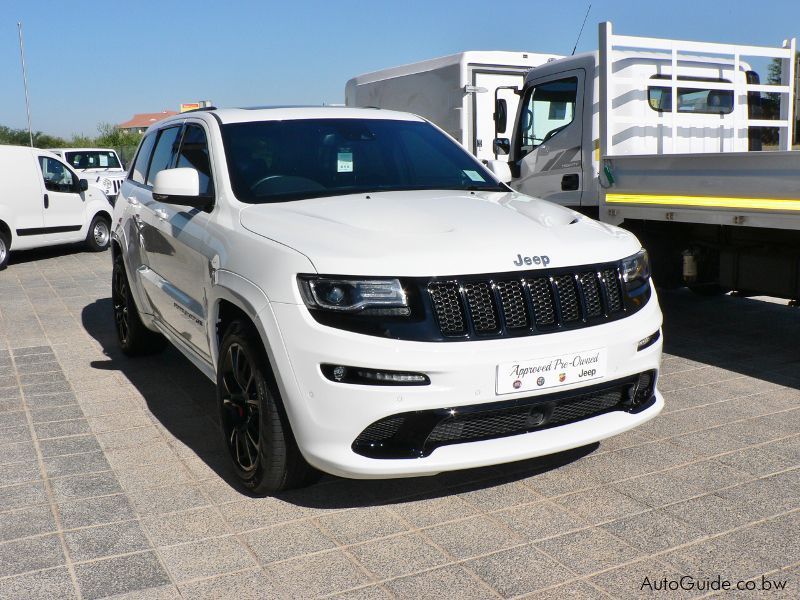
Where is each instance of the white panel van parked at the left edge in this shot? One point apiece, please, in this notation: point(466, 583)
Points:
point(45, 203)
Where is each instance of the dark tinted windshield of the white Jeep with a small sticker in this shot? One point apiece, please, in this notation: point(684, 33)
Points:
point(277, 161)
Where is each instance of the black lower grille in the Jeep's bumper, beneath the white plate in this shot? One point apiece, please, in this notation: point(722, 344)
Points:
point(417, 434)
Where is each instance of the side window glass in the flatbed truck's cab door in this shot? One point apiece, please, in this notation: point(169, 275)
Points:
point(547, 109)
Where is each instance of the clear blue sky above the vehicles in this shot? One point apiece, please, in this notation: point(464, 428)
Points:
point(91, 62)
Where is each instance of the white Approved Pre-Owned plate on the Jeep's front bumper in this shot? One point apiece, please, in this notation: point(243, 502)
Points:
point(552, 371)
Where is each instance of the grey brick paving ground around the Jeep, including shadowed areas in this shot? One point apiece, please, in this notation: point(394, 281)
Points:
point(113, 481)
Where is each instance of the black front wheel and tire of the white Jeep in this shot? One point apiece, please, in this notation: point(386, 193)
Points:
point(255, 429)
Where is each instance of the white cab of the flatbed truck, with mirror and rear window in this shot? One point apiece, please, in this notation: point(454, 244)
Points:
point(553, 146)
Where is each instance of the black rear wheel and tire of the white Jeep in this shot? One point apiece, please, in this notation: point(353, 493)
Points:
point(134, 338)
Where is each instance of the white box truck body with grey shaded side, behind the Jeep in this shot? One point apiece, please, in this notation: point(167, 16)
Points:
point(455, 92)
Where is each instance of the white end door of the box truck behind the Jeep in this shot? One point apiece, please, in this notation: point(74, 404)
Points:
point(483, 108)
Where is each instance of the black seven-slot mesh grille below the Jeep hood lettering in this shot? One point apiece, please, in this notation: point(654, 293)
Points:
point(530, 303)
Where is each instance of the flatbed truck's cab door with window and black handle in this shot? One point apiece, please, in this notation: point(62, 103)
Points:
point(547, 153)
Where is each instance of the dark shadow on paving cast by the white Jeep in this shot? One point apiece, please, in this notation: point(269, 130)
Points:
point(183, 401)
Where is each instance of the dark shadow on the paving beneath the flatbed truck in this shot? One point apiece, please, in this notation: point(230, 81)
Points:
point(749, 336)
